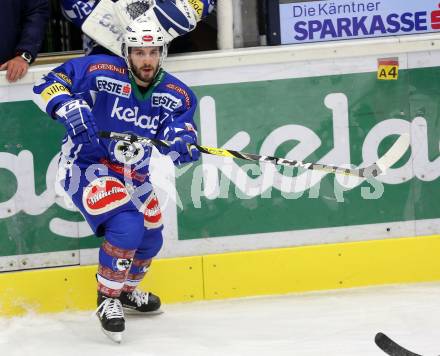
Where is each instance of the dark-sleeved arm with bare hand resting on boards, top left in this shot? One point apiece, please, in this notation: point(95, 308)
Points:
point(34, 18)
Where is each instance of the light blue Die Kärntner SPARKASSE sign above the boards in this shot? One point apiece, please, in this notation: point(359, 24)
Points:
point(328, 20)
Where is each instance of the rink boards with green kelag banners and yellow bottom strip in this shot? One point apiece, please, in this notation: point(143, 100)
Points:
point(233, 228)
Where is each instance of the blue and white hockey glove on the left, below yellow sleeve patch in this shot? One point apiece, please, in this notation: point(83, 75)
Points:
point(77, 118)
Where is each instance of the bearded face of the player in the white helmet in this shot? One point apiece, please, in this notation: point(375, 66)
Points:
point(144, 62)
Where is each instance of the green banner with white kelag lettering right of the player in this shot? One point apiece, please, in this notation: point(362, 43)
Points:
point(292, 114)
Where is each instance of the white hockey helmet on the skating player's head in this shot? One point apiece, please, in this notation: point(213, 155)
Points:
point(143, 33)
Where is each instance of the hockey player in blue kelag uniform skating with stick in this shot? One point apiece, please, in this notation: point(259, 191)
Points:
point(109, 181)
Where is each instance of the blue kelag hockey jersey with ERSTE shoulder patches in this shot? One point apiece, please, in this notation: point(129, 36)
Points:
point(165, 111)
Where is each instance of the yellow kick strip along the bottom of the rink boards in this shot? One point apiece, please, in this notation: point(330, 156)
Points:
point(238, 274)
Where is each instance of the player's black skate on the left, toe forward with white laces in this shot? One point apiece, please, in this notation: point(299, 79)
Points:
point(111, 315)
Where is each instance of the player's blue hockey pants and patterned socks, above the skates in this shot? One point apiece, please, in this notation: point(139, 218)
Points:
point(131, 222)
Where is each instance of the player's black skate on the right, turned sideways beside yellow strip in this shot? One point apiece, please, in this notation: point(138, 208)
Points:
point(138, 302)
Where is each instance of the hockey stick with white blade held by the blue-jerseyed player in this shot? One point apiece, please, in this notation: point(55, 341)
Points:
point(379, 167)
